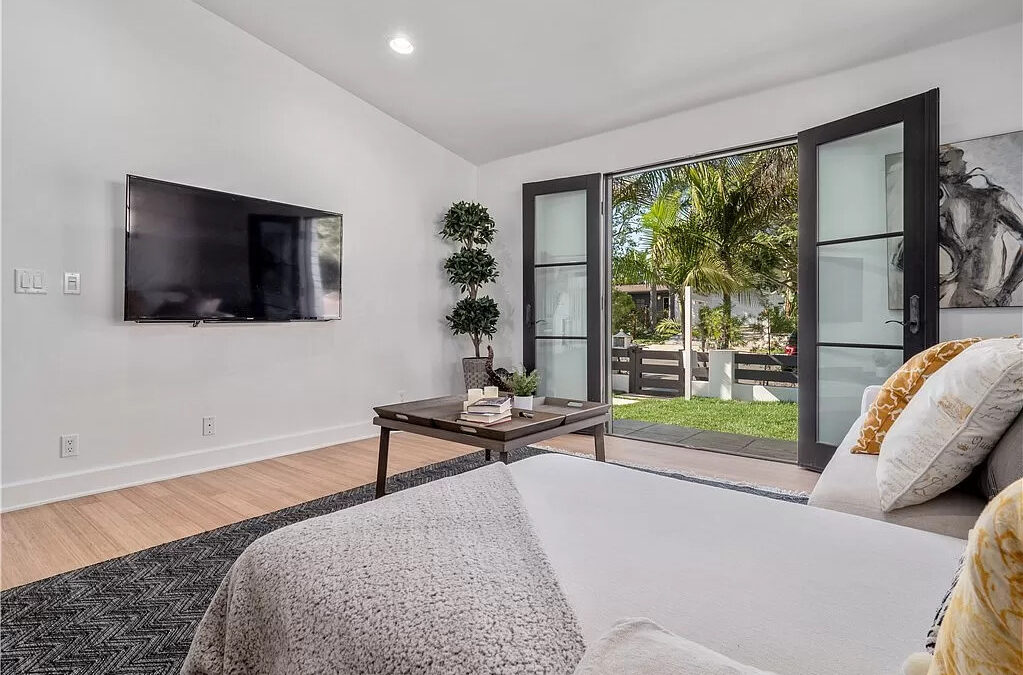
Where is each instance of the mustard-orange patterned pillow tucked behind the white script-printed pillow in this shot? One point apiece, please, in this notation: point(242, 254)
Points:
point(902, 387)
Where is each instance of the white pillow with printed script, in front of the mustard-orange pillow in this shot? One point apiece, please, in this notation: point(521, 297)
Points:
point(952, 424)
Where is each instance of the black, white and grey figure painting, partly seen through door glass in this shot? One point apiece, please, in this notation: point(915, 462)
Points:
point(982, 221)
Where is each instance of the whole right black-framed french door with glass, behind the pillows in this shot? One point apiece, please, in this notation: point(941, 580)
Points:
point(868, 260)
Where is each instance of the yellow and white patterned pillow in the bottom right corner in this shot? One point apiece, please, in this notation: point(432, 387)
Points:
point(983, 632)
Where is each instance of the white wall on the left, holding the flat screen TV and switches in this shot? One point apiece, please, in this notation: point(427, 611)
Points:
point(100, 88)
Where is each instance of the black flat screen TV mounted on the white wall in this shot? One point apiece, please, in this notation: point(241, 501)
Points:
point(197, 255)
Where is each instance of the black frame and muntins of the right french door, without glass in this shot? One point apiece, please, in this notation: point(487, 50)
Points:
point(919, 116)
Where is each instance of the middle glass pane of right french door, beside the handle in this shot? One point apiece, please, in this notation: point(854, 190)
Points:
point(860, 287)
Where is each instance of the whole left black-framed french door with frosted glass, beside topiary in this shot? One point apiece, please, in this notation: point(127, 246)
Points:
point(562, 277)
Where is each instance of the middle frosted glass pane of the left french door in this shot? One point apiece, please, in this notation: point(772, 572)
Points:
point(561, 301)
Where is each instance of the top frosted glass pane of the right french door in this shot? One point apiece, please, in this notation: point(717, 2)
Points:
point(860, 185)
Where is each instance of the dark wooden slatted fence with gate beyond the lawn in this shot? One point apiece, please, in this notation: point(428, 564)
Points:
point(662, 373)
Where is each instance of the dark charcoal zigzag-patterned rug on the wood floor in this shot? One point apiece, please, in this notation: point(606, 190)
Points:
point(138, 614)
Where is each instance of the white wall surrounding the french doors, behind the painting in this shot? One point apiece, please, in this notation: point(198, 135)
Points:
point(982, 81)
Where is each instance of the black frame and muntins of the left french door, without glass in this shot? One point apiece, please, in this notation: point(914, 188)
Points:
point(594, 185)
